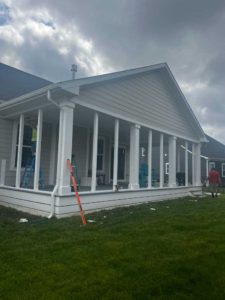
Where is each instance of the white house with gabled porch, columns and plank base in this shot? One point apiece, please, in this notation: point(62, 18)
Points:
point(124, 131)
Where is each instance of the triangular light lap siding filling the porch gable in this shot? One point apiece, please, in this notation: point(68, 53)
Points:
point(143, 98)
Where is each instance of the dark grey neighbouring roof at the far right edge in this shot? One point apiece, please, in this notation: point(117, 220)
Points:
point(214, 150)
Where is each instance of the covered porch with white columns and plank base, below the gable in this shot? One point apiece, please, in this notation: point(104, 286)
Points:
point(116, 161)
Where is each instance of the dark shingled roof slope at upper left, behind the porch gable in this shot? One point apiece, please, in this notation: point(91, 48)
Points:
point(14, 82)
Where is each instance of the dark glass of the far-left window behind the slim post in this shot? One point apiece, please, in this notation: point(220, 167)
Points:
point(27, 145)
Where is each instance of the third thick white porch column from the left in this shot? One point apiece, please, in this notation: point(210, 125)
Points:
point(172, 161)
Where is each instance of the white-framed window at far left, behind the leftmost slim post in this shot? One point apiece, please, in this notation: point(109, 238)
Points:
point(27, 145)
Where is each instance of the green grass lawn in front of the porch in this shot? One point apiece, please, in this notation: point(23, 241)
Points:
point(176, 251)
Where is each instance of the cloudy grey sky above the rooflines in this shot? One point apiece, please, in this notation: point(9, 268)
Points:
point(45, 37)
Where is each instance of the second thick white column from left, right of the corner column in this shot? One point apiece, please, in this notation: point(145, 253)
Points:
point(134, 156)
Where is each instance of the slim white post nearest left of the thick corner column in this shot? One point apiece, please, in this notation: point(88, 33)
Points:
point(38, 150)
